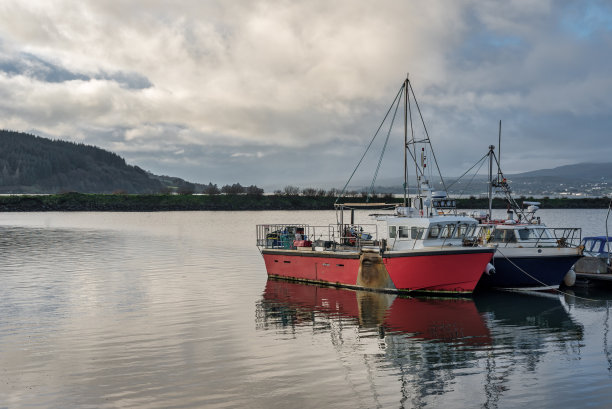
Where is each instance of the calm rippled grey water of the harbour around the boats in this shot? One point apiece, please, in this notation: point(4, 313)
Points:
point(173, 310)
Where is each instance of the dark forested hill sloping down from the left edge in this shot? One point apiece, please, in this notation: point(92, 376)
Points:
point(31, 164)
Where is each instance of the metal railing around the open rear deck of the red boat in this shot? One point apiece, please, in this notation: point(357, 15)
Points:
point(332, 237)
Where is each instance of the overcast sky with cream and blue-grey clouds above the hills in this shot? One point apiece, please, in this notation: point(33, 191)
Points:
point(291, 92)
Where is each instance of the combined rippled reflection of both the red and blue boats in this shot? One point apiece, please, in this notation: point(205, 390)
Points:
point(424, 350)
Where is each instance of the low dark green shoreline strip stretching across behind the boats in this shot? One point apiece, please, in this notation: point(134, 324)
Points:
point(166, 202)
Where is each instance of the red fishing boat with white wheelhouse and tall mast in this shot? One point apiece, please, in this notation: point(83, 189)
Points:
point(423, 245)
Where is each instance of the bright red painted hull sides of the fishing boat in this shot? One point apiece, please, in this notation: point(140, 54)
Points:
point(448, 271)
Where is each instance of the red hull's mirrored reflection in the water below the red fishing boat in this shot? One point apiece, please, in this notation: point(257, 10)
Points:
point(438, 319)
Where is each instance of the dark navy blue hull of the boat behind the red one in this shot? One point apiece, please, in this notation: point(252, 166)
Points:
point(528, 273)
